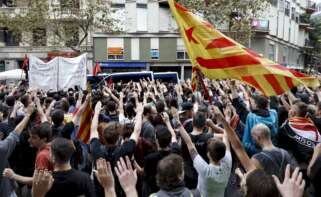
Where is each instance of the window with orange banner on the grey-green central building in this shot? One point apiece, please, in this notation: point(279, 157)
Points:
point(115, 48)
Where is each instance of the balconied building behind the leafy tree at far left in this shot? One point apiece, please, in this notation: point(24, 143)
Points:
point(13, 50)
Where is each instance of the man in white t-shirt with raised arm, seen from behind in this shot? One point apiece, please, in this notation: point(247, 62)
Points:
point(213, 176)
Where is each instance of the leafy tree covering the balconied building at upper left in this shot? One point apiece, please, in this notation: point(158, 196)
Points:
point(65, 24)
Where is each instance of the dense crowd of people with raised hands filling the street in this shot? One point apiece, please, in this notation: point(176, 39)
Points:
point(159, 139)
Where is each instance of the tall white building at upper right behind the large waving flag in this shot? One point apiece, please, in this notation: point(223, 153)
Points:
point(286, 39)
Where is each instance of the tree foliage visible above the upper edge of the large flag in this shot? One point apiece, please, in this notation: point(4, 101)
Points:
point(235, 14)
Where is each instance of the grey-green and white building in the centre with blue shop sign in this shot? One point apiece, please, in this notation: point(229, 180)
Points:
point(150, 42)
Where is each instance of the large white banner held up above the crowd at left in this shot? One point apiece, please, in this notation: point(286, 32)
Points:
point(58, 74)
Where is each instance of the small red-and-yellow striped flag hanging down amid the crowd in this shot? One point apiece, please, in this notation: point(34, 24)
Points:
point(85, 122)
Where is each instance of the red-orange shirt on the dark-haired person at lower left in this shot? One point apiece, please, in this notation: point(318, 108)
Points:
point(43, 160)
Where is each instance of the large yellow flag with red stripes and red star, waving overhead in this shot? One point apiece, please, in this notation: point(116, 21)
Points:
point(220, 57)
